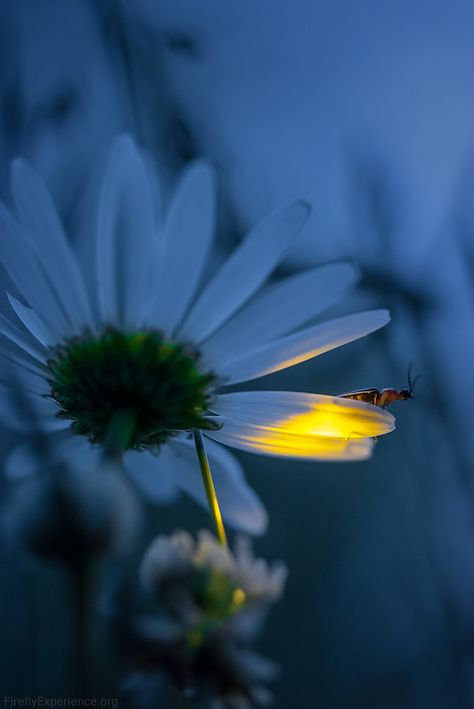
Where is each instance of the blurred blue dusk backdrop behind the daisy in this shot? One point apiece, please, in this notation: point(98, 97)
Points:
point(367, 111)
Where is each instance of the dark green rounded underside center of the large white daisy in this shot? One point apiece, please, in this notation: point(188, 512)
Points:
point(154, 381)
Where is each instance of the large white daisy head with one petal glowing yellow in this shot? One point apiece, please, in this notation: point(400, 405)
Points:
point(140, 329)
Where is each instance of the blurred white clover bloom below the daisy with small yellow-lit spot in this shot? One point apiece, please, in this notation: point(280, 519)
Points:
point(211, 604)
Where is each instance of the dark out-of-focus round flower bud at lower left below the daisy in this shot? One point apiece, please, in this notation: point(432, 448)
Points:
point(66, 515)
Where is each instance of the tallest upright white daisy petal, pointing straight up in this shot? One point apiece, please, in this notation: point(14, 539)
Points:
point(127, 256)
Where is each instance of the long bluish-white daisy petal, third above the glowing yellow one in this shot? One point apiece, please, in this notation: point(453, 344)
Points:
point(244, 271)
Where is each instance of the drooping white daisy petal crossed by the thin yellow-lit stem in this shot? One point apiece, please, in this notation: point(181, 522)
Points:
point(239, 504)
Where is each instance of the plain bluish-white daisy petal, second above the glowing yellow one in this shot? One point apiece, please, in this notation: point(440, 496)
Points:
point(280, 309)
